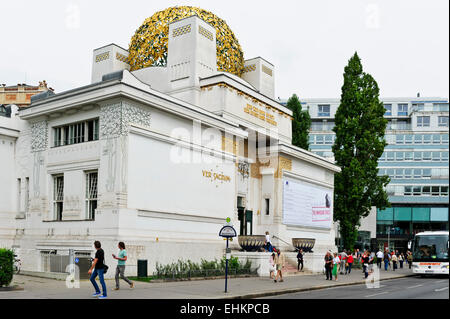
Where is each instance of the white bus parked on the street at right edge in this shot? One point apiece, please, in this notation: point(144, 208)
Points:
point(430, 252)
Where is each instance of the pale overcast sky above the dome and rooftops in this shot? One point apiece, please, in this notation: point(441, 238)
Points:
point(404, 45)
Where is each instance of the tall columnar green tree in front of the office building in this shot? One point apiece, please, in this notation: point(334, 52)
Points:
point(359, 128)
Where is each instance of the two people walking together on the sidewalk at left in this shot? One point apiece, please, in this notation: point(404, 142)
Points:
point(99, 268)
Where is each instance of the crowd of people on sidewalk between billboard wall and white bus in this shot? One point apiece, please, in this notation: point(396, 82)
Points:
point(342, 263)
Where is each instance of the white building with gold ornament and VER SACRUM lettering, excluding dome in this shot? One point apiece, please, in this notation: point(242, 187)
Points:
point(159, 158)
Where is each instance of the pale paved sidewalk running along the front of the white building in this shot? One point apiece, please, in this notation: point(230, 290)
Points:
point(202, 289)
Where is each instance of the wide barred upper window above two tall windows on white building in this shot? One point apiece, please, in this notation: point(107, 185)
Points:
point(76, 133)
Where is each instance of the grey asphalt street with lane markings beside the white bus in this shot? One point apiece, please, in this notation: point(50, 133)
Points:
point(402, 288)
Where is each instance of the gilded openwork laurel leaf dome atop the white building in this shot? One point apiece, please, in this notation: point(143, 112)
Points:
point(148, 45)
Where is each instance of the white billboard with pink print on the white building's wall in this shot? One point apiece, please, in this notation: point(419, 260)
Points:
point(306, 204)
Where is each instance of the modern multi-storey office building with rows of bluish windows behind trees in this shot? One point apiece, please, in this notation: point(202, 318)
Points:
point(416, 160)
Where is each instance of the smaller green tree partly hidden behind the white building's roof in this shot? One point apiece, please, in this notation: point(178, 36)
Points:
point(300, 124)
